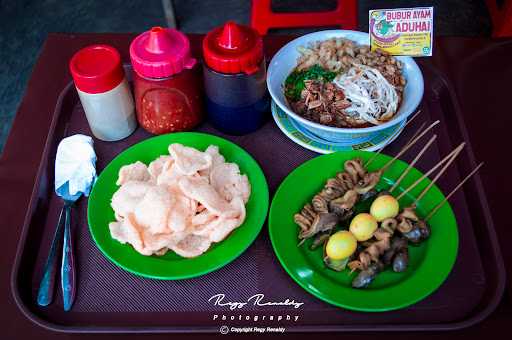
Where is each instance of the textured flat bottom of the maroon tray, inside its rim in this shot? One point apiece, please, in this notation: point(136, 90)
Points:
point(104, 288)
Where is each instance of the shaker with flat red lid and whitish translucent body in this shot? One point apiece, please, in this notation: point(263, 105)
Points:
point(104, 92)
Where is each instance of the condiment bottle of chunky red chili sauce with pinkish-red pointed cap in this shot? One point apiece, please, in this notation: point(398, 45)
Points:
point(166, 81)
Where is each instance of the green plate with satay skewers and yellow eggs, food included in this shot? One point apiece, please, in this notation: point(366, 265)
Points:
point(365, 231)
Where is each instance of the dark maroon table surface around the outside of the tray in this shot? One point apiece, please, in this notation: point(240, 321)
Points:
point(479, 69)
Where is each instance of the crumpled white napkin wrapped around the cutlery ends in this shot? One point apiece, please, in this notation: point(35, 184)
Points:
point(76, 163)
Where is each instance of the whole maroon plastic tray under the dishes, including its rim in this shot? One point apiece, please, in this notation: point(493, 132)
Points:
point(112, 300)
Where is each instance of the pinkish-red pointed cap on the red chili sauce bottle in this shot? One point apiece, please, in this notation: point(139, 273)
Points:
point(161, 52)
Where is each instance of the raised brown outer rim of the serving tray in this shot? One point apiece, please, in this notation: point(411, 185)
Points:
point(457, 325)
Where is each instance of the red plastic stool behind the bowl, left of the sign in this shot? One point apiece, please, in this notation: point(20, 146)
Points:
point(262, 17)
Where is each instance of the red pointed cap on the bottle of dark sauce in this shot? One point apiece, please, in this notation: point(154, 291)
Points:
point(233, 49)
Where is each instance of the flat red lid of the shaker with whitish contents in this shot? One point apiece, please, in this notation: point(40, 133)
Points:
point(96, 69)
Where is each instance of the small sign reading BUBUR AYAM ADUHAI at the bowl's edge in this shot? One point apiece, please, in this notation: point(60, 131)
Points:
point(402, 31)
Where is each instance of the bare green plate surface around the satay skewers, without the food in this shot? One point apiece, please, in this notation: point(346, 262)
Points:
point(429, 265)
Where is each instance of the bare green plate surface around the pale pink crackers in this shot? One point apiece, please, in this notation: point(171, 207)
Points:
point(171, 266)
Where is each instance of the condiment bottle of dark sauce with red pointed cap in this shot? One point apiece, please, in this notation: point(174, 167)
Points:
point(234, 73)
